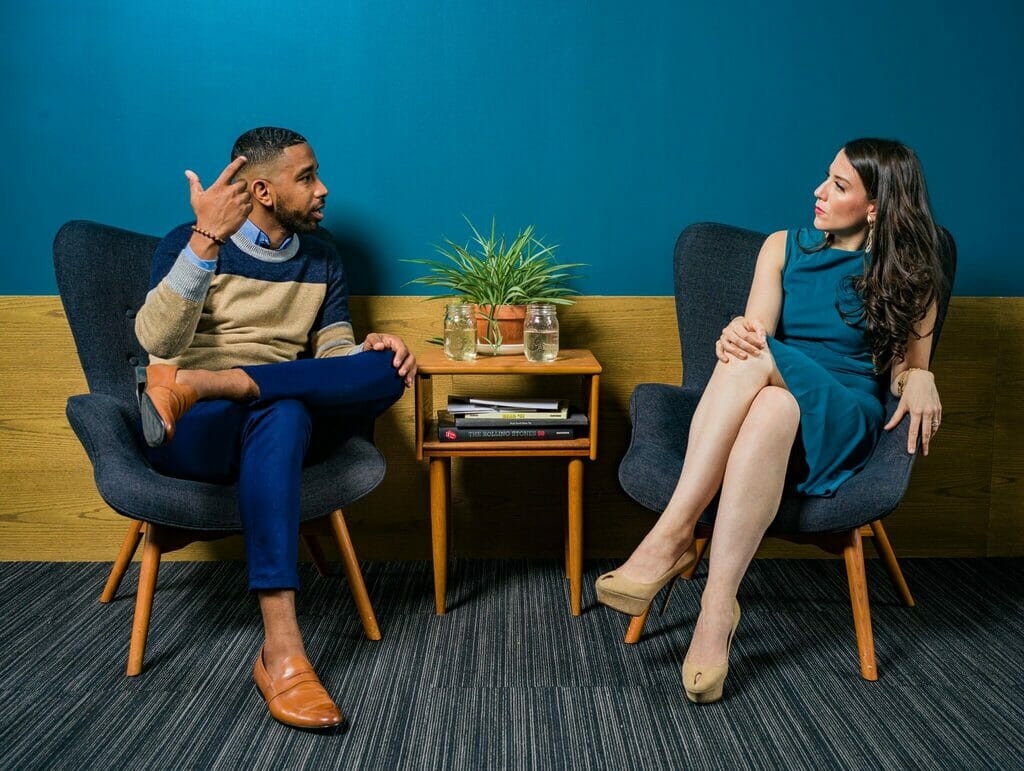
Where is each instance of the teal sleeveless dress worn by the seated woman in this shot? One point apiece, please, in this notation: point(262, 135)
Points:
point(827, 366)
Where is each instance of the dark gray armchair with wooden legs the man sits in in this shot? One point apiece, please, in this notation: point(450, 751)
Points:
point(103, 276)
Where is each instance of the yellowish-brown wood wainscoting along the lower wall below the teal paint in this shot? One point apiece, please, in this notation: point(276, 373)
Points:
point(966, 499)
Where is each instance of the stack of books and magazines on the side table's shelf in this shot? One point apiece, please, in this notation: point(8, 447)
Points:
point(509, 420)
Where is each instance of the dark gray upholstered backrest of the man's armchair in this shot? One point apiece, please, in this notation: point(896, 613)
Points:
point(103, 276)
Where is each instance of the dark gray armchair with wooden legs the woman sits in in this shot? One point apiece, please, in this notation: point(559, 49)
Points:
point(714, 268)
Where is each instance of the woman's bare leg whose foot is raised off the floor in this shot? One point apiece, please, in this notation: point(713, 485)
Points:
point(716, 424)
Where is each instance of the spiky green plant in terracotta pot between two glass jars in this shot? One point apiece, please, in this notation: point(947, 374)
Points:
point(499, 277)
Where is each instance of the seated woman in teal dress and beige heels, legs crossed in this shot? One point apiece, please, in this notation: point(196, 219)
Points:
point(834, 316)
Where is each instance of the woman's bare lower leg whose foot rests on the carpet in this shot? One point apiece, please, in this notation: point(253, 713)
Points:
point(751, 494)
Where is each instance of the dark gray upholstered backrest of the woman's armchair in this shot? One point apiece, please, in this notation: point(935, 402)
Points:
point(714, 269)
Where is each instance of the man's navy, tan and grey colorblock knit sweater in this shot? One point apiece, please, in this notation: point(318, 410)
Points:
point(257, 307)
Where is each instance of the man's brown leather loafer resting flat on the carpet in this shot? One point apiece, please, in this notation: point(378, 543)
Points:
point(297, 699)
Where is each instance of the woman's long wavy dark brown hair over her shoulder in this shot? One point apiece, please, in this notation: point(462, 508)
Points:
point(903, 273)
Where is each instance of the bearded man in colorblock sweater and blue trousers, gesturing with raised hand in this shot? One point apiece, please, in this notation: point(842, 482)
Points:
point(252, 352)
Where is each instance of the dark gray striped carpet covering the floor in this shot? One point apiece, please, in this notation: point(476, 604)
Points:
point(508, 679)
